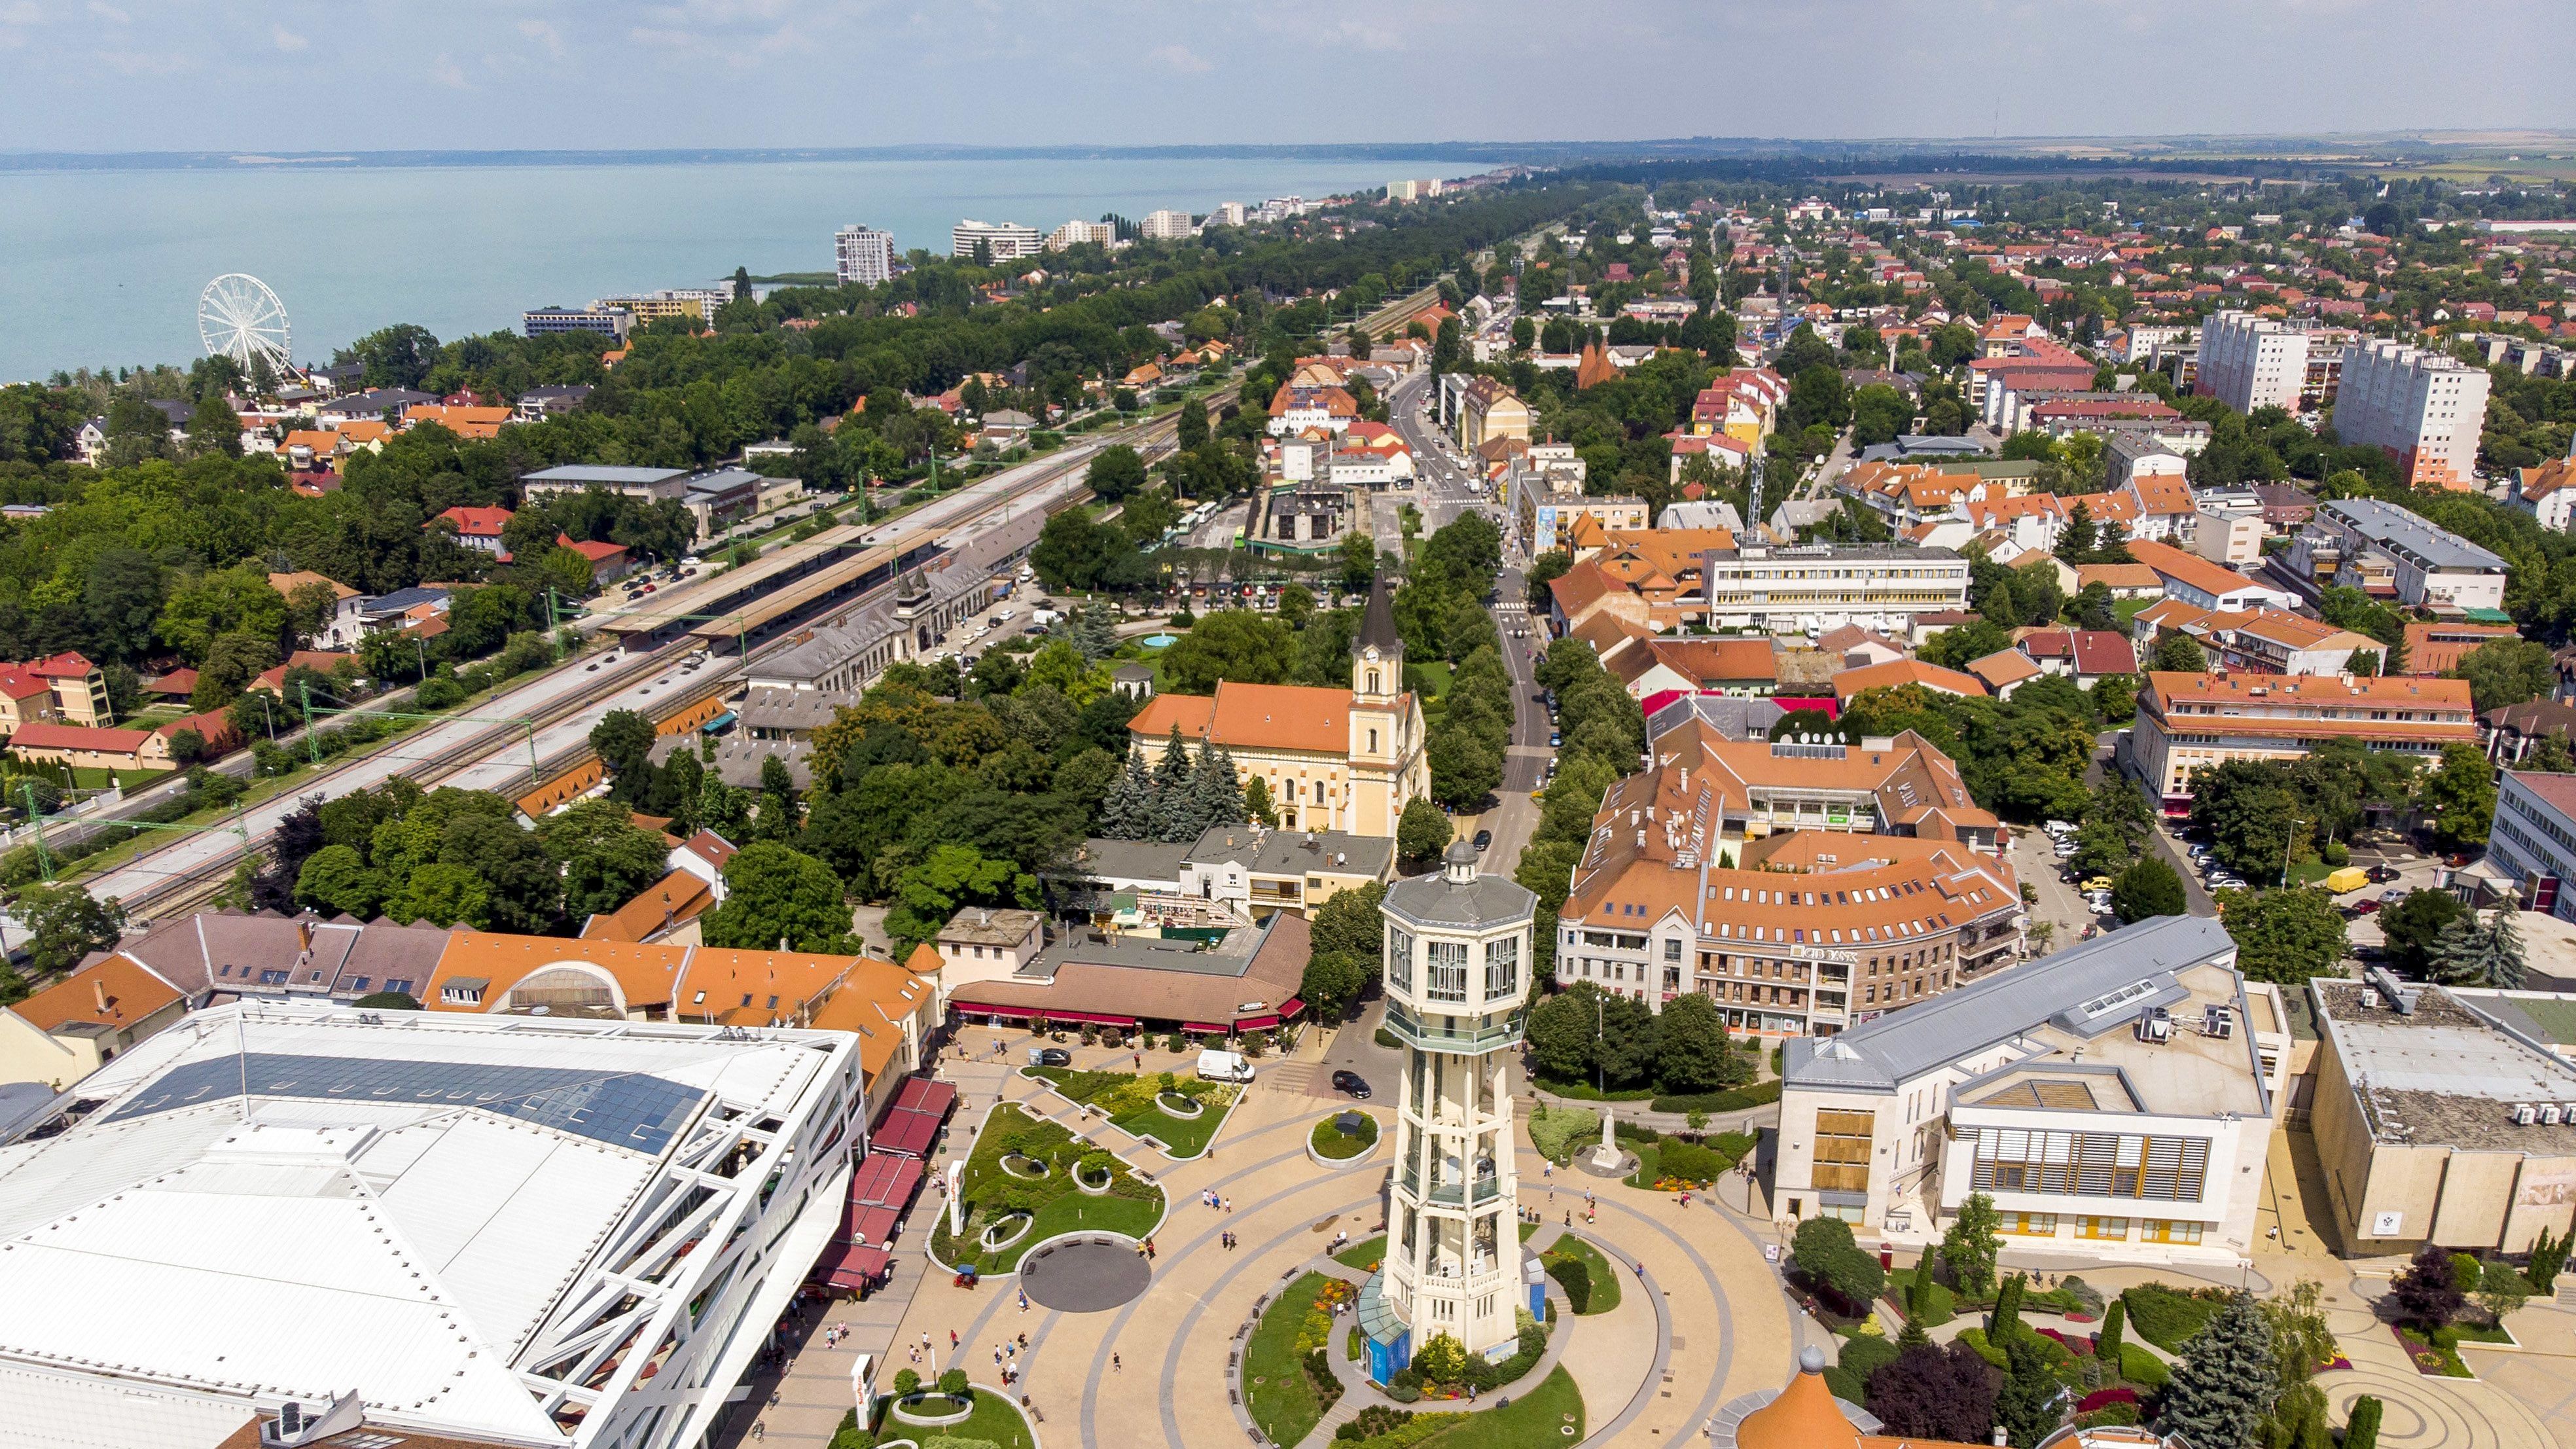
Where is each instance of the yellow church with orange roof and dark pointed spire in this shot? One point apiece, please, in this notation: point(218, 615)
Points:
point(1333, 759)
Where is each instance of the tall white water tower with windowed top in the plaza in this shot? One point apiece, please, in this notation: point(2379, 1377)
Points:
point(1457, 978)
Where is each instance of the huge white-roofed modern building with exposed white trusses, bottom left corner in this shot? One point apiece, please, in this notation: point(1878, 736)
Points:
point(313, 1226)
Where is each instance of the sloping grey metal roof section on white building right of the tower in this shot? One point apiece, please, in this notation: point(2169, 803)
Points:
point(1980, 1015)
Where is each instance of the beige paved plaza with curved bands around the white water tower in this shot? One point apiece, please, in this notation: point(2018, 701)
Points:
point(1122, 1352)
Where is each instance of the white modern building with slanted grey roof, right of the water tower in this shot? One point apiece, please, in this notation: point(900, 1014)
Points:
point(2114, 1100)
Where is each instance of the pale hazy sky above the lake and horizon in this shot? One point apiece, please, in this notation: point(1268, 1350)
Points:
point(117, 76)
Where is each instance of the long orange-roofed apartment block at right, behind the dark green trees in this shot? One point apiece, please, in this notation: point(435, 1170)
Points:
point(2191, 721)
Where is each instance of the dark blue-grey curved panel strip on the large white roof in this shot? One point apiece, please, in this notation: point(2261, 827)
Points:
point(625, 1110)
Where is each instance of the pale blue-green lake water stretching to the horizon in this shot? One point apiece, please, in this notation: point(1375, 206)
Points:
point(104, 267)
